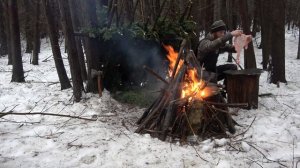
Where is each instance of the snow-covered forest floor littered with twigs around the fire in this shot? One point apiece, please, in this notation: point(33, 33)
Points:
point(273, 139)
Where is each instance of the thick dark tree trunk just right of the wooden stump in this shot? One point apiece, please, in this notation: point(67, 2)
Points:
point(278, 42)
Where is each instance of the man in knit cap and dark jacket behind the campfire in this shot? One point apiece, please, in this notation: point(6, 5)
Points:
point(214, 44)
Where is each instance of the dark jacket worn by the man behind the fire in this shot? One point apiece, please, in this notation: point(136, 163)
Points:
point(210, 48)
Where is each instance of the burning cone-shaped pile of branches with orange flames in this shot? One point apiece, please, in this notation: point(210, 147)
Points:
point(190, 105)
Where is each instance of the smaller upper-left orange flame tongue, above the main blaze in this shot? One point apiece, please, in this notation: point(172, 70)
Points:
point(172, 57)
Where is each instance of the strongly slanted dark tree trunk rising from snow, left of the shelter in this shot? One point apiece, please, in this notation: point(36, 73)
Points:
point(53, 34)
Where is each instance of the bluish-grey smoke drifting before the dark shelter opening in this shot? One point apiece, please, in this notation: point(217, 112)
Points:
point(134, 54)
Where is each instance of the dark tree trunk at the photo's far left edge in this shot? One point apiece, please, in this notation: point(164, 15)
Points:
point(3, 37)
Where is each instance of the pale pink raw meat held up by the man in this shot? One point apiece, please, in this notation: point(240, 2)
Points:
point(241, 42)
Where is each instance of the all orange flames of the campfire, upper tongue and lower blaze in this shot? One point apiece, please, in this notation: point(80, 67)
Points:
point(192, 84)
